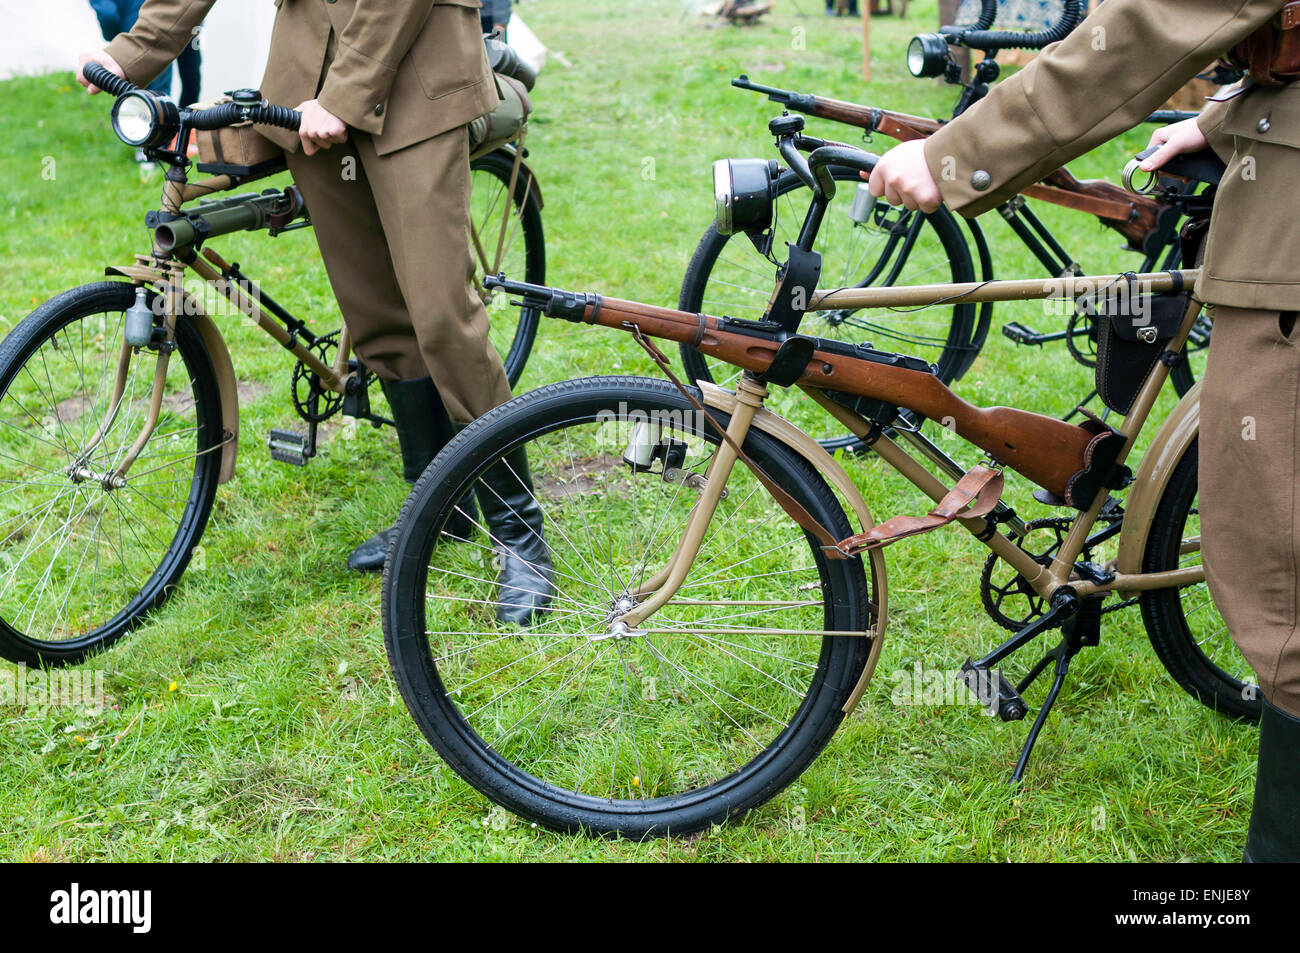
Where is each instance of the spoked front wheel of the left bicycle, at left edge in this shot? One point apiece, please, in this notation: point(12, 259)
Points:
point(84, 558)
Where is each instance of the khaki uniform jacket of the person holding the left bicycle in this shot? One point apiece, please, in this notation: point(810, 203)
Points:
point(402, 71)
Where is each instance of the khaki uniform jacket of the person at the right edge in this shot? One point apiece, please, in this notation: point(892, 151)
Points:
point(1108, 76)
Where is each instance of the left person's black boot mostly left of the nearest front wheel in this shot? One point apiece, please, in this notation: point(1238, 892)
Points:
point(424, 428)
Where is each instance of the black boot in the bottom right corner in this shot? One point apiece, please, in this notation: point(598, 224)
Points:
point(1275, 837)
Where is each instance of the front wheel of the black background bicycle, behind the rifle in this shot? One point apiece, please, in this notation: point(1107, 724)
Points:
point(889, 248)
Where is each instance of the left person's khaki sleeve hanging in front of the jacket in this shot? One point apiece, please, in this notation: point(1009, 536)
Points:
point(371, 49)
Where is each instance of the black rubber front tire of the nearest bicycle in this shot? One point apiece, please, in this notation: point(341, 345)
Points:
point(552, 410)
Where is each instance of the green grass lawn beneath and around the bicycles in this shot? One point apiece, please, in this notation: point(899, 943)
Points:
point(285, 739)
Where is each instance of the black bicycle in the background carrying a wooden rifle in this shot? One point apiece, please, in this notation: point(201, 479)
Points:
point(866, 244)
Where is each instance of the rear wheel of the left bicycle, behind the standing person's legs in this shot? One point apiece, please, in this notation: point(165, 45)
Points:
point(506, 233)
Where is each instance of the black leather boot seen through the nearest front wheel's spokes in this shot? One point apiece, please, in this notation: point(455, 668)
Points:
point(525, 584)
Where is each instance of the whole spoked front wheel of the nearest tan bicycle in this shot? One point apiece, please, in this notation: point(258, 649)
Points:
point(712, 705)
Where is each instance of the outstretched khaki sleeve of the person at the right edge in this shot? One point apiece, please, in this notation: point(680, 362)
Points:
point(1119, 66)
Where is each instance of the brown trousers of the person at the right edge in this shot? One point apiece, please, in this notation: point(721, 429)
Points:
point(1250, 440)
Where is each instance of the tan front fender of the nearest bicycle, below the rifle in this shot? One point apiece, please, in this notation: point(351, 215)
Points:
point(811, 450)
